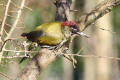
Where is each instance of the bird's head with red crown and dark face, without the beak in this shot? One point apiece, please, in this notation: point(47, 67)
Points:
point(71, 26)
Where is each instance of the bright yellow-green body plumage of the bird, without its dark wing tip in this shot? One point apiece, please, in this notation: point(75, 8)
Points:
point(53, 34)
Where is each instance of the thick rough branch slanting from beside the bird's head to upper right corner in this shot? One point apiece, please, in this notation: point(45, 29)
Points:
point(101, 9)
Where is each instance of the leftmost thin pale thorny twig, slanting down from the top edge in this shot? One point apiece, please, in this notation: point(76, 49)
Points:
point(5, 17)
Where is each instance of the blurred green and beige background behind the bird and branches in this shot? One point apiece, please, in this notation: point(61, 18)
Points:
point(102, 42)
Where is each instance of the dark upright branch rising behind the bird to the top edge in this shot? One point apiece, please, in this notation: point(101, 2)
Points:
point(62, 10)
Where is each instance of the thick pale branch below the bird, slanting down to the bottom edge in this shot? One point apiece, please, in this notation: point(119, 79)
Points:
point(36, 65)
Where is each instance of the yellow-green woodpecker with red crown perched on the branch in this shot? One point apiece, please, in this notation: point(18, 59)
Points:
point(53, 33)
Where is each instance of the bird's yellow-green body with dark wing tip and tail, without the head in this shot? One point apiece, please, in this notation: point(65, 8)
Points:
point(49, 34)
